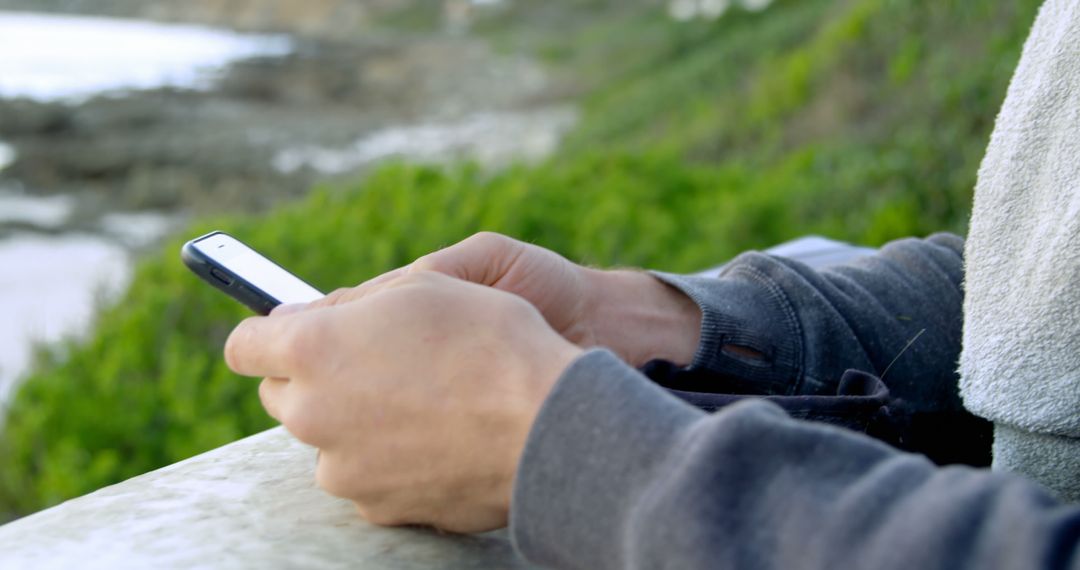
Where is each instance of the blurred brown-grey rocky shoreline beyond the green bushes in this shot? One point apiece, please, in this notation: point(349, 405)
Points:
point(198, 153)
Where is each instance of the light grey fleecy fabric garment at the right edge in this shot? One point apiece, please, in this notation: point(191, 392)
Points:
point(1021, 361)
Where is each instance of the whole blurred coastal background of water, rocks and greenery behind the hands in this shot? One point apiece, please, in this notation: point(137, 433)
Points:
point(347, 138)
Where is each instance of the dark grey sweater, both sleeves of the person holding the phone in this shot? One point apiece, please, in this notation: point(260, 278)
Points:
point(618, 473)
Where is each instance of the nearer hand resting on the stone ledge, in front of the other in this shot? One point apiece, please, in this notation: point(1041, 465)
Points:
point(420, 395)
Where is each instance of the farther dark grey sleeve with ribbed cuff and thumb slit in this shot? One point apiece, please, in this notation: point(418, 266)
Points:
point(898, 313)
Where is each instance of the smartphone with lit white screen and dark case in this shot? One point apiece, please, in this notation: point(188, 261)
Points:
point(245, 275)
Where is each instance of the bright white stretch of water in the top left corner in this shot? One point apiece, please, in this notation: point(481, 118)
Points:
point(50, 58)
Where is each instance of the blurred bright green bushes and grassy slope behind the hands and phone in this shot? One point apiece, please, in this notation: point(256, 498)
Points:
point(863, 120)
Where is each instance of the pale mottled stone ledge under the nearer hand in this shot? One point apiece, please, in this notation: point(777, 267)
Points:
point(249, 505)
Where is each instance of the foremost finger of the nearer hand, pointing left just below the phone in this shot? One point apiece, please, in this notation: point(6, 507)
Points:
point(266, 346)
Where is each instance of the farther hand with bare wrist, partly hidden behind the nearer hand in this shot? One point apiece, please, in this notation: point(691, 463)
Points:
point(630, 313)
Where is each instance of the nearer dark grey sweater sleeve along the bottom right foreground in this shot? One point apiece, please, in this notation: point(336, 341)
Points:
point(617, 473)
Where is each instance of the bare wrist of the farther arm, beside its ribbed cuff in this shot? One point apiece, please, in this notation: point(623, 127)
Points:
point(641, 318)
